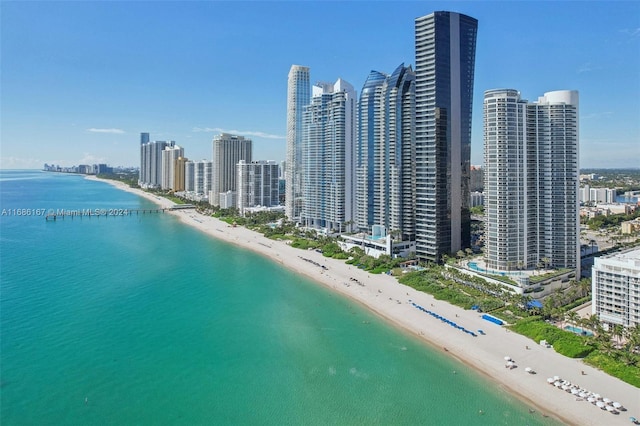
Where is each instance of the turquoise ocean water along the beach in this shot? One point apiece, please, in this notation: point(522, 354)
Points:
point(143, 320)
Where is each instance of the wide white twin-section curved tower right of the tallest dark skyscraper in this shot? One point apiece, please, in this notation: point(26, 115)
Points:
point(531, 180)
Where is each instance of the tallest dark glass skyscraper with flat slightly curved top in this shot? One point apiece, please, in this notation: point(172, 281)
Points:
point(445, 60)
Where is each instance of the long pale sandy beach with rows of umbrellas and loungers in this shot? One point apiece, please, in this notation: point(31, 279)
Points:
point(485, 353)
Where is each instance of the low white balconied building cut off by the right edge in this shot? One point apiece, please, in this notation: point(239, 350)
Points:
point(616, 288)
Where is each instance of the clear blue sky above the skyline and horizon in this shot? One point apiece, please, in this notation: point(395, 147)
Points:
point(81, 80)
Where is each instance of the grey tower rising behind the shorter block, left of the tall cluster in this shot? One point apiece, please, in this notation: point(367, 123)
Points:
point(228, 150)
